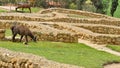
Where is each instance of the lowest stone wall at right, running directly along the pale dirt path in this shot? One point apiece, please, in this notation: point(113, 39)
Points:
point(101, 39)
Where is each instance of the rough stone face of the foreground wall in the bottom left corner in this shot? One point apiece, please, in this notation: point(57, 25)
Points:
point(7, 61)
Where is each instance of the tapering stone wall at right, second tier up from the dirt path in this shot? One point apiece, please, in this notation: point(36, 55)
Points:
point(102, 29)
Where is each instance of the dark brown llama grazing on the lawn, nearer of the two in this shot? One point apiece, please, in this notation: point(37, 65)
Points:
point(23, 31)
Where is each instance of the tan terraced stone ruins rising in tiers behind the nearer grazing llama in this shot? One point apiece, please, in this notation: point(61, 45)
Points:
point(65, 25)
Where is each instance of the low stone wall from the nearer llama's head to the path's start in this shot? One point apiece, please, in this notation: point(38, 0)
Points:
point(60, 37)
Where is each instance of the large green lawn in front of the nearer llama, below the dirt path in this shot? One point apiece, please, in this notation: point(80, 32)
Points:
point(70, 53)
